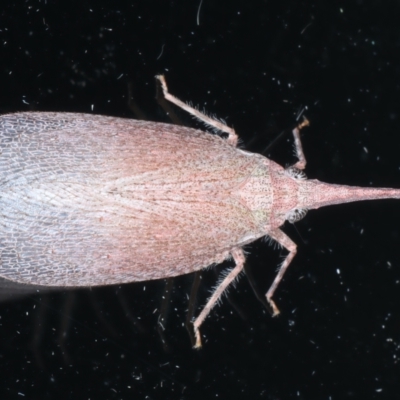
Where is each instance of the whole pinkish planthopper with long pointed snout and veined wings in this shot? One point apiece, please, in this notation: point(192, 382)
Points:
point(90, 200)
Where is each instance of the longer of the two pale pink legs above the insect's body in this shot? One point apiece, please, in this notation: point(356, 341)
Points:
point(232, 136)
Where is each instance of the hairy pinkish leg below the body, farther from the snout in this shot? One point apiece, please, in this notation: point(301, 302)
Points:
point(239, 259)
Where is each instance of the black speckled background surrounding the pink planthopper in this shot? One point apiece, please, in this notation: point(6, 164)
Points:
point(256, 64)
